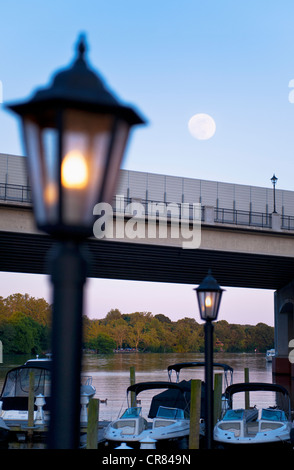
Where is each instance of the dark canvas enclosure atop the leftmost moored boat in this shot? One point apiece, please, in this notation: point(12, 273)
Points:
point(17, 382)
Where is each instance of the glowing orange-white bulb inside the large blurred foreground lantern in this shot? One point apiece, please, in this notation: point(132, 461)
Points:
point(74, 170)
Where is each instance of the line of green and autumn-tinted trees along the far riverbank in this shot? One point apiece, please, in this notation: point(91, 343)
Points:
point(25, 325)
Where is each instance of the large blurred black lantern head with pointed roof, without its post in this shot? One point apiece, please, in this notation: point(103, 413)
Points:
point(75, 133)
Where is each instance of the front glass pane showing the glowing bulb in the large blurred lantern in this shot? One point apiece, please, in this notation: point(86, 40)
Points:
point(85, 147)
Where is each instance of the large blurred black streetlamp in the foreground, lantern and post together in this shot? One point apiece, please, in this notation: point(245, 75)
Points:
point(75, 133)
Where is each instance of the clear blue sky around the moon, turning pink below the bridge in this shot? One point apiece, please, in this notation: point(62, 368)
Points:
point(171, 59)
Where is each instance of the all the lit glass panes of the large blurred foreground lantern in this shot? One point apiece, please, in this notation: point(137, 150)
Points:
point(66, 187)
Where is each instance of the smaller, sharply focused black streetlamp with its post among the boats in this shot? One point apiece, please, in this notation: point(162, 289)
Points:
point(209, 295)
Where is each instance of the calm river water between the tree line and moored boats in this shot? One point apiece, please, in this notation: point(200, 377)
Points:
point(111, 374)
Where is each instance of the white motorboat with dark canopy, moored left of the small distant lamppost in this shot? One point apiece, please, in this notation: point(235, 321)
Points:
point(169, 413)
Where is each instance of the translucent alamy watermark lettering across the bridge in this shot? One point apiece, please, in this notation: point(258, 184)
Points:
point(150, 220)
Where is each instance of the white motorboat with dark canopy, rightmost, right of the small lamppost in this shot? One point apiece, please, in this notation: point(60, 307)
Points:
point(271, 425)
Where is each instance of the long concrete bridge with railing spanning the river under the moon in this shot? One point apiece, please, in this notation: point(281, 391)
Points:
point(242, 240)
